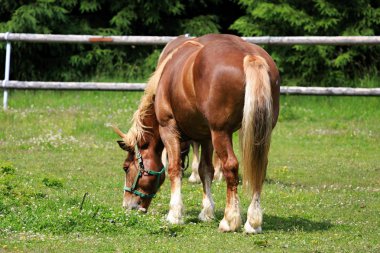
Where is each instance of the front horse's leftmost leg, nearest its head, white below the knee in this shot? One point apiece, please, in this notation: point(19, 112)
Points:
point(170, 137)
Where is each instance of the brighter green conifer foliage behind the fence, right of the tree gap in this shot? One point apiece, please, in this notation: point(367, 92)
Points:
point(322, 65)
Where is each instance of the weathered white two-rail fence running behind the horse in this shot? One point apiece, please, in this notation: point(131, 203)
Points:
point(155, 40)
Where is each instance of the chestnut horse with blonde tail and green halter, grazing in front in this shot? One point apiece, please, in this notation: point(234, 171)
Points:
point(204, 89)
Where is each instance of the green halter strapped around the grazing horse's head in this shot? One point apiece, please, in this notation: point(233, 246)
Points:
point(141, 171)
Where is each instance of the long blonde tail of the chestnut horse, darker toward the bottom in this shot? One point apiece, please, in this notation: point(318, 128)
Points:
point(257, 123)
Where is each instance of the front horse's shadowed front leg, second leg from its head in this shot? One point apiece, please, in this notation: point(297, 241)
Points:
point(206, 172)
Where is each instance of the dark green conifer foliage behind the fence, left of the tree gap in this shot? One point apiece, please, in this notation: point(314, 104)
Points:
point(92, 62)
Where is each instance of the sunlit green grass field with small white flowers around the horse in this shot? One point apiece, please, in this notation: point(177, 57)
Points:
point(322, 192)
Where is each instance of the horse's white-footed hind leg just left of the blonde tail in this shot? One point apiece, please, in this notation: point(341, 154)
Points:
point(222, 142)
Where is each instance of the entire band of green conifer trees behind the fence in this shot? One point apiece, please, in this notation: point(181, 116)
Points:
point(300, 65)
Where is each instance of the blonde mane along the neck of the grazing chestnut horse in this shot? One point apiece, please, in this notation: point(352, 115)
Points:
point(137, 130)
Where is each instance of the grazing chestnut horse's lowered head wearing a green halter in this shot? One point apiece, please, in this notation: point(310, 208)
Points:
point(144, 172)
